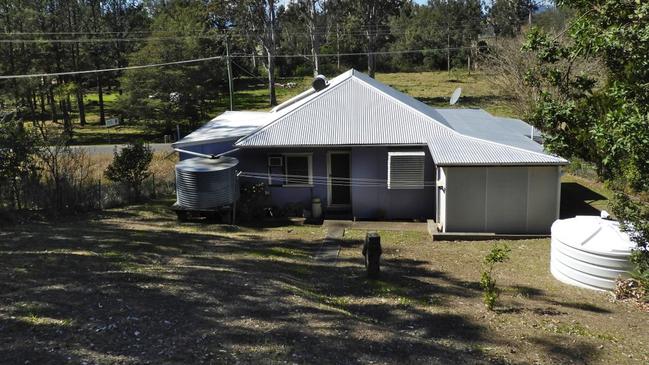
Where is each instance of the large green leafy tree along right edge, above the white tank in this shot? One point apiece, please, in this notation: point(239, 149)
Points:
point(602, 120)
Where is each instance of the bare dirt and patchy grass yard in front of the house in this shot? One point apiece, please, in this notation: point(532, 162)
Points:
point(131, 286)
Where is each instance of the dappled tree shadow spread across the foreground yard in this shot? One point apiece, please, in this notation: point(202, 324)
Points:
point(110, 290)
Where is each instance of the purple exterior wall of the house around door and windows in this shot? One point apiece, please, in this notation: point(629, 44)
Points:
point(366, 202)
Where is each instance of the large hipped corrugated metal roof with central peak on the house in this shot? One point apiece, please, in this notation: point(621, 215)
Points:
point(358, 110)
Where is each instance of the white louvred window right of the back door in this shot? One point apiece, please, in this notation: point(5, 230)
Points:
point(406, 170)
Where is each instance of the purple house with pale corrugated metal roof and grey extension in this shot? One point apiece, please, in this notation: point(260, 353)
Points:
point(369, 150)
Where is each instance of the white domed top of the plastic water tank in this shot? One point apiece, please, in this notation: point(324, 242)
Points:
point(592, 233)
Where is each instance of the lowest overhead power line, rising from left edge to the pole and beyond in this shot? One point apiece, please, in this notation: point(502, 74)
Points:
point(413, 51)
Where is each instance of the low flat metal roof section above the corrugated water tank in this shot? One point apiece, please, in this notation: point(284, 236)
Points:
point(227, 126)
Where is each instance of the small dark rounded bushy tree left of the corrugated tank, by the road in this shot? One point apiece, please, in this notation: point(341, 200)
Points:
point(130, 166)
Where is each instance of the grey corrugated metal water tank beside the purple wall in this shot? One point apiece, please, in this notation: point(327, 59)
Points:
point(203, 183)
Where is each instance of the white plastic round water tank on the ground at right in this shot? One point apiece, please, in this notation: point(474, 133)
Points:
point(589, 252)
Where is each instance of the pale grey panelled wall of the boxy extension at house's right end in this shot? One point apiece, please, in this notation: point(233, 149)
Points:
point(501, 199)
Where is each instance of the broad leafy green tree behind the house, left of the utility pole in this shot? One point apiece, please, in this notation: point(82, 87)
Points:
point(167, 96)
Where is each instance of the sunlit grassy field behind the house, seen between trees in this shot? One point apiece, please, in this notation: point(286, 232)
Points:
point(433, 88)
